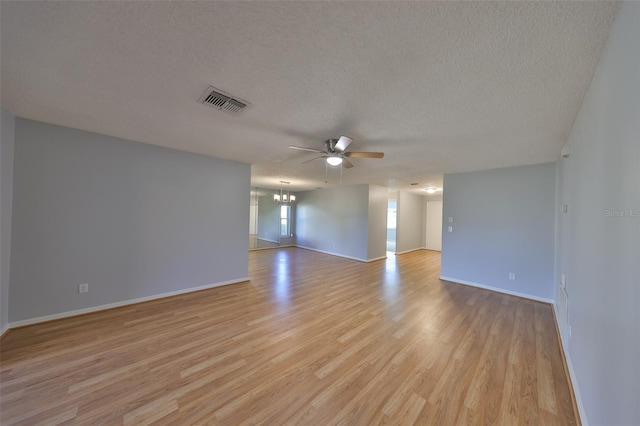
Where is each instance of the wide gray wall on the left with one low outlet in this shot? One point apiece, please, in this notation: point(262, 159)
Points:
point(131, 220)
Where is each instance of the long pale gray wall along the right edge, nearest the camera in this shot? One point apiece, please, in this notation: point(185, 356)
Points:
point(599, 237)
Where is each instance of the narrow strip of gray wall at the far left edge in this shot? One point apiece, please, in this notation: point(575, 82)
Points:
point(7, 127)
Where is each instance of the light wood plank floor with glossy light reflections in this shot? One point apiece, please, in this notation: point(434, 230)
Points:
point(312, 339)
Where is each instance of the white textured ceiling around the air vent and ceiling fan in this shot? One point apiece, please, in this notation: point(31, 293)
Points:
point(440, 87)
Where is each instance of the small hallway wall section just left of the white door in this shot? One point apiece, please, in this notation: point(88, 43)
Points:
point(410, 226)
